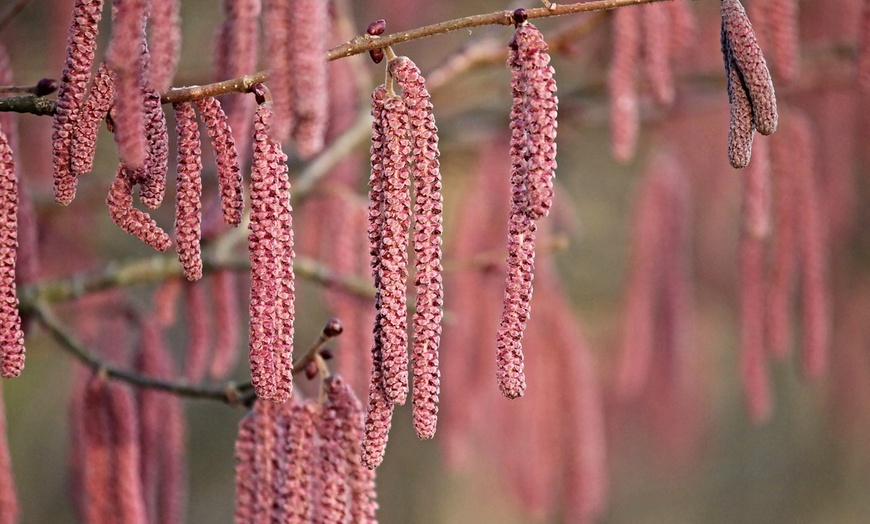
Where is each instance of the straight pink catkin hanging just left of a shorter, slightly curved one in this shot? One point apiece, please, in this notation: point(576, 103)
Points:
point(188, 200)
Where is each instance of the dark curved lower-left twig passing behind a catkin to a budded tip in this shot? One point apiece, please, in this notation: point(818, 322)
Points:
point(233, 394)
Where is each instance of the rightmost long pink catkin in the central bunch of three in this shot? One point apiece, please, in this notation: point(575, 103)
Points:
point(428, 206)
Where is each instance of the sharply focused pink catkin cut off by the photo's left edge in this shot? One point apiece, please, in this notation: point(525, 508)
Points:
point(11, 336)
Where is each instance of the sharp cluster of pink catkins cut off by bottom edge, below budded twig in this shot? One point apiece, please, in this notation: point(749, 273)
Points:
point(299, 461)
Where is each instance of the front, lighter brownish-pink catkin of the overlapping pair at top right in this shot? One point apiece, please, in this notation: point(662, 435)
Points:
point(748, 60)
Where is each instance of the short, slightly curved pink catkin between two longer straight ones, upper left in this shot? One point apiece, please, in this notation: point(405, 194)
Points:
point(227, 158)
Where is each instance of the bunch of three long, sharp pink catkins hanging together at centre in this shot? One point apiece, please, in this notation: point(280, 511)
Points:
point(404, 142)
